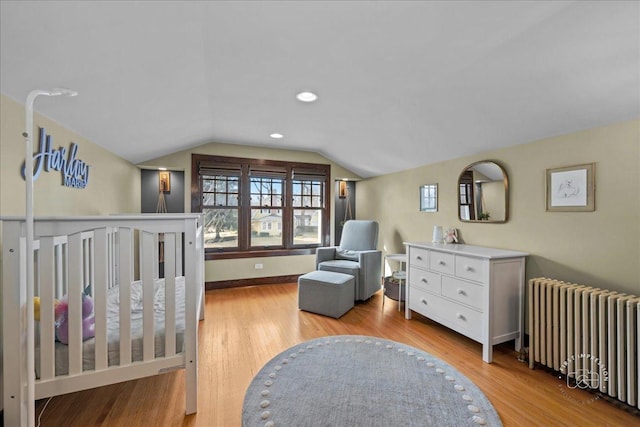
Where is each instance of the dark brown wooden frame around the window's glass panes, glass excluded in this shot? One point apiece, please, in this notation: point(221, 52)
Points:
point(244, 249)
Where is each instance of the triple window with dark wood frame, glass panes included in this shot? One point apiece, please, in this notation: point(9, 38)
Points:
point(259, 207)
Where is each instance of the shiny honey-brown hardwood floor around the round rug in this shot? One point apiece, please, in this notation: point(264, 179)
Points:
point(245, 327)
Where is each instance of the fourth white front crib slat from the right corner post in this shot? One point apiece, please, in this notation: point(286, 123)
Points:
point(101, 279)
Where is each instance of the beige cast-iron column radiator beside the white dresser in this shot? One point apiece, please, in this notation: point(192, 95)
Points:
point(587, 334)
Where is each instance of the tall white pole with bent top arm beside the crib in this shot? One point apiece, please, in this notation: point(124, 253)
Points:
point(28, 174)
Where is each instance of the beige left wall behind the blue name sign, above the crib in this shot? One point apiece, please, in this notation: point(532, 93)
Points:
point(114, 183)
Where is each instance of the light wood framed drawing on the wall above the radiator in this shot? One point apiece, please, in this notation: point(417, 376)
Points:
point(571, 189)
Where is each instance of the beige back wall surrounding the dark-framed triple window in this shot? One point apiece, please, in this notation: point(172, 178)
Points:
point(244, 268)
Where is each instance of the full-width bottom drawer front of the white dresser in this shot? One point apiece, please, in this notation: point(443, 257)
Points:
point(461, 319)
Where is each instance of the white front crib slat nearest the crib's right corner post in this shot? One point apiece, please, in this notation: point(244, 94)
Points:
point(170, 294)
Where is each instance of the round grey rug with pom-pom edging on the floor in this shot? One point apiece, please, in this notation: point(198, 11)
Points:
point(353, 380)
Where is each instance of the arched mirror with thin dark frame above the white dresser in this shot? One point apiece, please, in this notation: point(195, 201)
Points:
point(483, 193)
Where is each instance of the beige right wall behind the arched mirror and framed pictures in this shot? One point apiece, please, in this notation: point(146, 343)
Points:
point(600, 248)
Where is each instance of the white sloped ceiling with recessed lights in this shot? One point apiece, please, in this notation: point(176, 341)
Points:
point(401, 83)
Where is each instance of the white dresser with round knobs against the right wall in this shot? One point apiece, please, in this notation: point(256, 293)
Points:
point(474, 290)
